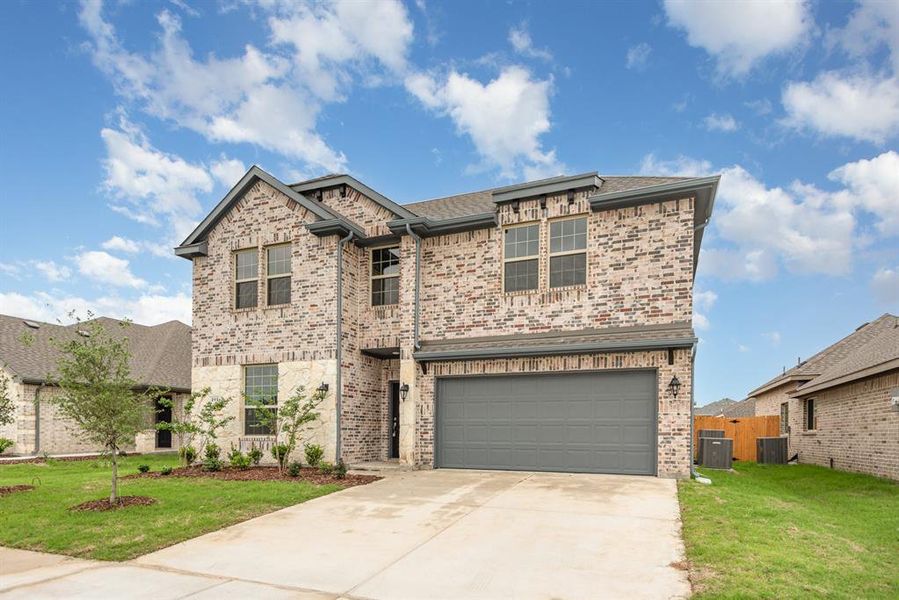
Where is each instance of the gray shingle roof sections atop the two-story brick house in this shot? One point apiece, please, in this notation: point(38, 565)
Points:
point(474, 203)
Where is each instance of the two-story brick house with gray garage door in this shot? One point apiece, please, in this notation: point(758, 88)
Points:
point(535, 326)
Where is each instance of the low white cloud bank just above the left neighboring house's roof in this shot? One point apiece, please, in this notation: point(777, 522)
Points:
point(146, 309)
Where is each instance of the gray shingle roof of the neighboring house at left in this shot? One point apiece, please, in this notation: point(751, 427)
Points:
point(160, 355)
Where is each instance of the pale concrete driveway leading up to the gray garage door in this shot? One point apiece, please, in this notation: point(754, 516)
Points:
point(445, 534)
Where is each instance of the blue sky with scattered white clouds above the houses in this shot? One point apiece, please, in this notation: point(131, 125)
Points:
point(123, 123)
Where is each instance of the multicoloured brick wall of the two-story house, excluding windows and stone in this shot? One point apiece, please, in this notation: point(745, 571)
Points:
point(640, 272)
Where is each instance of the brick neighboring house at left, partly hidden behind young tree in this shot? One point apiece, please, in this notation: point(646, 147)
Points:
point(160, 357)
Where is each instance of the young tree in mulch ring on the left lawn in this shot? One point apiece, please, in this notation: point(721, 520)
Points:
point(97, 392)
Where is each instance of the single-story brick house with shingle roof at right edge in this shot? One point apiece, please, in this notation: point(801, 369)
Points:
point(837, 406)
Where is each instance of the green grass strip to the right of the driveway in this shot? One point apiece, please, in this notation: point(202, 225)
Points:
point(784, 531)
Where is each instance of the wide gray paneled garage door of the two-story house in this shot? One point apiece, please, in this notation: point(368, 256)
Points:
point(576, 422)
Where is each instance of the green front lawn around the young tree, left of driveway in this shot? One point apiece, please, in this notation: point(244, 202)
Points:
point(40, 520)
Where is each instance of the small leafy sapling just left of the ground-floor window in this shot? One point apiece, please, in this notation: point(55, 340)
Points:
point(192, 425)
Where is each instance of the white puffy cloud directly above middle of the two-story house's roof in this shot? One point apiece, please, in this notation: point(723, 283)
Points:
point(504, 118)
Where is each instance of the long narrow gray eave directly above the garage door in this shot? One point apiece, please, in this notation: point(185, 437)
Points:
point(555, 349)
